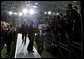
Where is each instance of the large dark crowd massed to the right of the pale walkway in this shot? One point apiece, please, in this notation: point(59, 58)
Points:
point(64, 28)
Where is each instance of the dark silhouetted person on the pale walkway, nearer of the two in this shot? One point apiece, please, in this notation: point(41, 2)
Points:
point(31, 37)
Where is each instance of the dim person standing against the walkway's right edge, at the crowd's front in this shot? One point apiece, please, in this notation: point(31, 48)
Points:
point(40, 41)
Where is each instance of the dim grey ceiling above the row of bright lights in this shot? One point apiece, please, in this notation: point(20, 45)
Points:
point(43, 5)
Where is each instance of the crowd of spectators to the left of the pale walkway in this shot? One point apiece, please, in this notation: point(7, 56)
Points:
point(8, 35)
